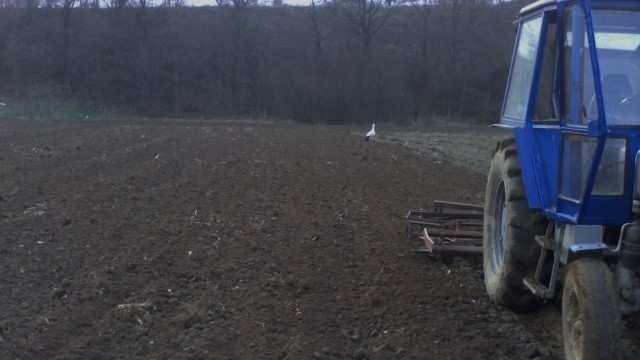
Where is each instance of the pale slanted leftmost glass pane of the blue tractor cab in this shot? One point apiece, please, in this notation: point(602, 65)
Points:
point(521, 76)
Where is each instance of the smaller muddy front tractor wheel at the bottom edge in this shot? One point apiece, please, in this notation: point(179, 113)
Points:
point(591, 321)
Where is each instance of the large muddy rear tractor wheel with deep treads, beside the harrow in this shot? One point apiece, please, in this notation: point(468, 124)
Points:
point(509, 246)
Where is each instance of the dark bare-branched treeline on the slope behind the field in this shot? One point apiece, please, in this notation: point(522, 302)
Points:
point(349, 61)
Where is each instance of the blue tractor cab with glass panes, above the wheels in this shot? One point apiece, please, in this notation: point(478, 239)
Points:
point(573, 99)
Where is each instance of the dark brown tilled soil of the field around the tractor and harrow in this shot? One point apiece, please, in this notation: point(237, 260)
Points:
point(238, 241)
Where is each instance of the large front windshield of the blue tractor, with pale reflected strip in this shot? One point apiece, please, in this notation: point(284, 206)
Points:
point(617, 37)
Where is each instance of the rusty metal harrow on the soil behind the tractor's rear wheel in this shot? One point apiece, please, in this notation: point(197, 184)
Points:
point(451, 227)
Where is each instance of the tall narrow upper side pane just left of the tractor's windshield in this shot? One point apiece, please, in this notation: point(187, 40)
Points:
point(579, 88)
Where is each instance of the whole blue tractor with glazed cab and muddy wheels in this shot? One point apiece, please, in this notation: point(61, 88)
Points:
point(562, 201)
